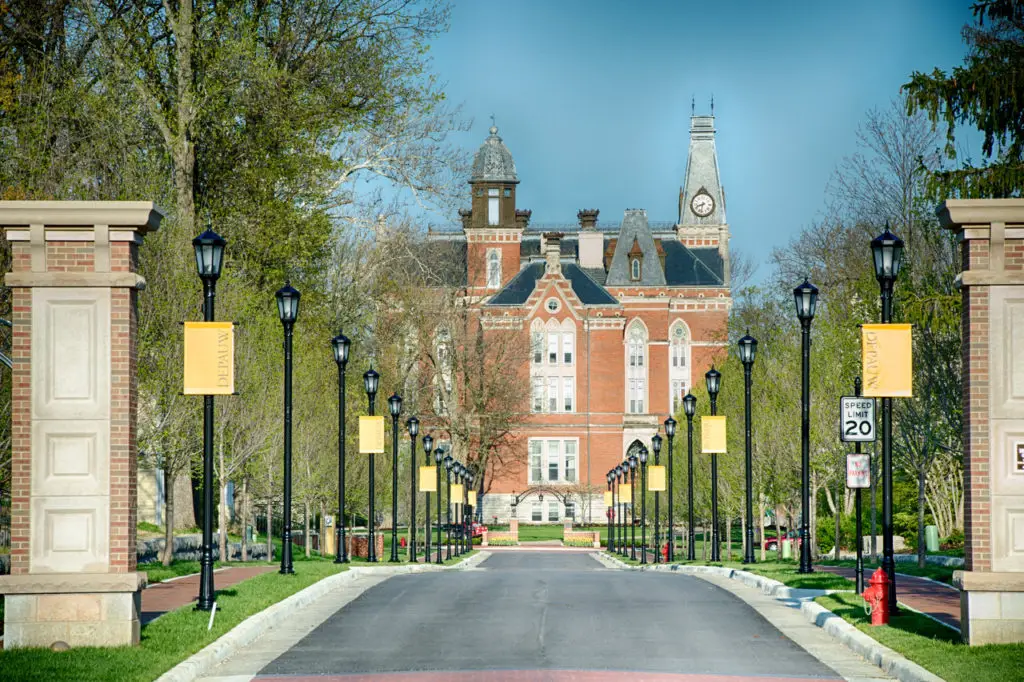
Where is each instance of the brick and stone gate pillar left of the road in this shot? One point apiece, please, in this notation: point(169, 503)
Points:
point(74, 412)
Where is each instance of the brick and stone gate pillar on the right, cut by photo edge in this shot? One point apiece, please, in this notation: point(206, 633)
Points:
point(992, 235)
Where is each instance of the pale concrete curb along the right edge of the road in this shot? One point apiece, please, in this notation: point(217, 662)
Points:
point(872, 651)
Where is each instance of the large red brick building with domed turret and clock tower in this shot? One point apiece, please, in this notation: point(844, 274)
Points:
point(622, 321)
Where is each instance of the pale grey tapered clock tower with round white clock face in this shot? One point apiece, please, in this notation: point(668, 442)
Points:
point(702, 199)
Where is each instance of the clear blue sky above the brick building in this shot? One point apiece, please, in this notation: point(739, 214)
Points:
point(593, 98)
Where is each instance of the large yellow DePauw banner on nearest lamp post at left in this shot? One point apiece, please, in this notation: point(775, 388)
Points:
point(209, 366)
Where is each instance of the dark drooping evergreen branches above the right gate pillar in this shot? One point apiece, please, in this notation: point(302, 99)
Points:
point(987, 92)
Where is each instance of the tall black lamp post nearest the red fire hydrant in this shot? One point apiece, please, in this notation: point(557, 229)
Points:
point(887, 251)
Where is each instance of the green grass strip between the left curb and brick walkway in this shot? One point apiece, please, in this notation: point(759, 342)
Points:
point(168, 641)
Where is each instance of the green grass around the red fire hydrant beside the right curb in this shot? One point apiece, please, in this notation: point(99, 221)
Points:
point(931, 646)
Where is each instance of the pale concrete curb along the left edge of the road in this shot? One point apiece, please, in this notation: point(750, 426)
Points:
point(252, 628)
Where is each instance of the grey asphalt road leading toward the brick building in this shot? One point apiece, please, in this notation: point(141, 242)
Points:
point(547, 612)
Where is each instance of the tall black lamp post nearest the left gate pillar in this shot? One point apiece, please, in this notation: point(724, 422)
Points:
point(209, 249)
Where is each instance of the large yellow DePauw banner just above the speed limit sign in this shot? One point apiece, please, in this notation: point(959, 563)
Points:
point(887, 359)
